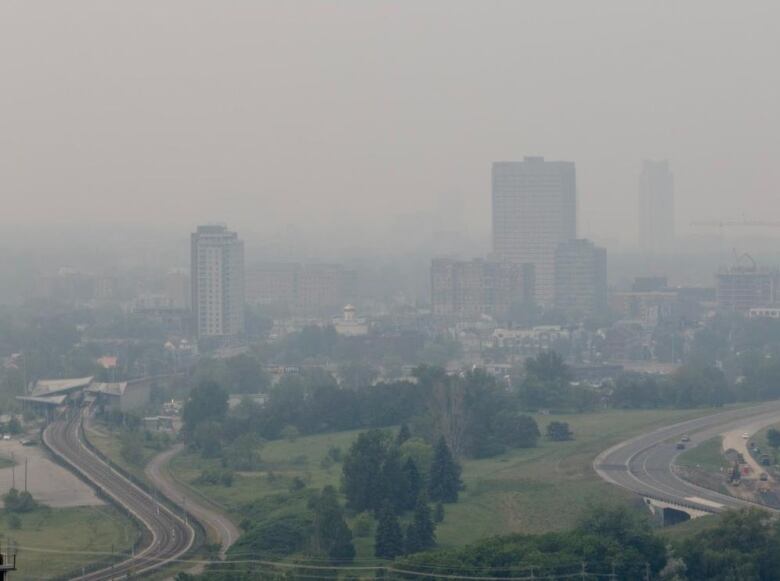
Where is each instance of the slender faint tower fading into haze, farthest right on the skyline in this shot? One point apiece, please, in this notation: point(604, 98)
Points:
point(656, 207)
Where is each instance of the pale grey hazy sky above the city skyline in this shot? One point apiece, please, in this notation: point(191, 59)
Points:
point(334, 113)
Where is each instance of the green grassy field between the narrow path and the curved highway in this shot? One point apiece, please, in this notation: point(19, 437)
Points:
point(528, 490)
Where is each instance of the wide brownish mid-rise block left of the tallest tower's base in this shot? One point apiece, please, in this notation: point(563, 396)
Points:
point(470, 289)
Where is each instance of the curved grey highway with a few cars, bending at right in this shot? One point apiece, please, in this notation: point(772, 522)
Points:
point(645, 464)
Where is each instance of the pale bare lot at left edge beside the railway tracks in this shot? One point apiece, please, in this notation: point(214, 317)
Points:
point(49, 483)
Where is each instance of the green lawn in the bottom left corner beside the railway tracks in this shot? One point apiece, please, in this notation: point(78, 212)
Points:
point(49, 540)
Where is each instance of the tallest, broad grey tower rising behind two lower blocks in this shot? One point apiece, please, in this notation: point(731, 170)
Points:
point(534, 210)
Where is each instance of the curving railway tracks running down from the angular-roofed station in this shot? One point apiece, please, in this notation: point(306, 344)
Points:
point(168, 535)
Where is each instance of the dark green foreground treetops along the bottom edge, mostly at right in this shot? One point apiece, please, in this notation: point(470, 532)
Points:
point(611, 543)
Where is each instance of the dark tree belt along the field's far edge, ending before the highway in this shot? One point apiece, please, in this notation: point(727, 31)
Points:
point(476, 415)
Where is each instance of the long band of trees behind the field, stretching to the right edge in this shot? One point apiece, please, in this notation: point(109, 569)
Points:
point(478, 414)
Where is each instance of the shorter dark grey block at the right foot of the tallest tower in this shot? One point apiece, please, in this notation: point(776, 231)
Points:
point(580, 278)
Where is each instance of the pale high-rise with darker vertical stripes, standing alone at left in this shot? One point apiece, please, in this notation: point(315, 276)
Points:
point(217, 282)
